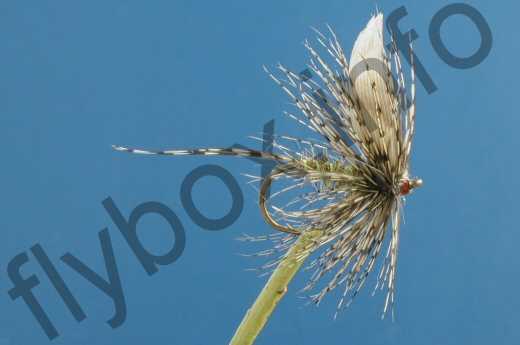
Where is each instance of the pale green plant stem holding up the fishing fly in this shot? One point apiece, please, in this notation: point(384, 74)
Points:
point(276, 287)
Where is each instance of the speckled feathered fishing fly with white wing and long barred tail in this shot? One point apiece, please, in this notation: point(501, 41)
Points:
point(357, 174)
